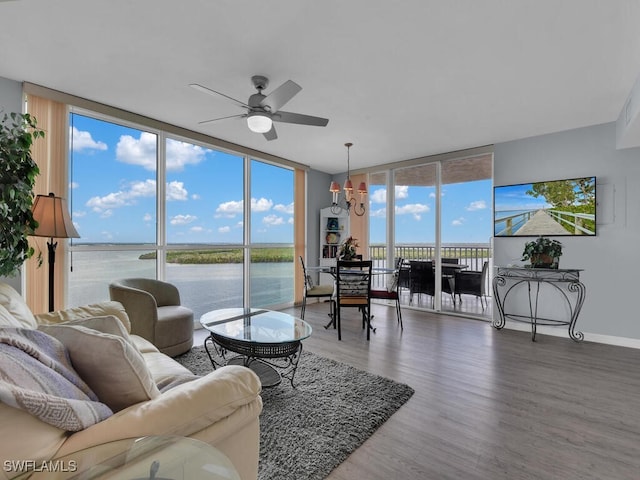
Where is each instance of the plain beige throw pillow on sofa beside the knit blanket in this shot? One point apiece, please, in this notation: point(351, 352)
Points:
point(110, 365)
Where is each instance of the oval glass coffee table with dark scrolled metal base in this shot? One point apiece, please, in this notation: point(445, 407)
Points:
point(266, 341)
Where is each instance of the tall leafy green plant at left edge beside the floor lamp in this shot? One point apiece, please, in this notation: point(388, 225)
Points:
point(17, 178)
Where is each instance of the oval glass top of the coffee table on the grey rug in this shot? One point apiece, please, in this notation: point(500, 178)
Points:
point(256, 325)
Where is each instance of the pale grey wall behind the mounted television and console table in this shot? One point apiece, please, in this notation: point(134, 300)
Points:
point(611, 260)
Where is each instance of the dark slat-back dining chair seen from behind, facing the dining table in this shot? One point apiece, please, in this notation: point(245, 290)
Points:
point(353, 290)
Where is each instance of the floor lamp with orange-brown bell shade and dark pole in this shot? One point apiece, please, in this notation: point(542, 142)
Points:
point(54, 221)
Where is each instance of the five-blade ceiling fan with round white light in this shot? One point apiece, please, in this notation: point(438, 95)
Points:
point(263, 110)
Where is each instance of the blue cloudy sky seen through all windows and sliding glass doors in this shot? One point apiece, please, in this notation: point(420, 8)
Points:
point(113, 177)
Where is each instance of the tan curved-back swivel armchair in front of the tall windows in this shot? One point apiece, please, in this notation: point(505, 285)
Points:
point(155, 313)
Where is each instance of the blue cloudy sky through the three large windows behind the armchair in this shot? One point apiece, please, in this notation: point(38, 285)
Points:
point(113, 178)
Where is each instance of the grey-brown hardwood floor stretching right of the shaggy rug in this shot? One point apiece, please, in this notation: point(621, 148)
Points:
point(489, 404)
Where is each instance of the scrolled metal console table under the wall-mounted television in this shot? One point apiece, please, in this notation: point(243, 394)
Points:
point(566, 281)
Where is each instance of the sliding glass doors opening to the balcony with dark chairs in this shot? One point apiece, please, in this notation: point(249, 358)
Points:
point(439, 215)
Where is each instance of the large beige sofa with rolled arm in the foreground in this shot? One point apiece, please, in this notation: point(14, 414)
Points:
point(221, 408)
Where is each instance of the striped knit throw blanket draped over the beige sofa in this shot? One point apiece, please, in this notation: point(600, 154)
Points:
point(37, 376)
